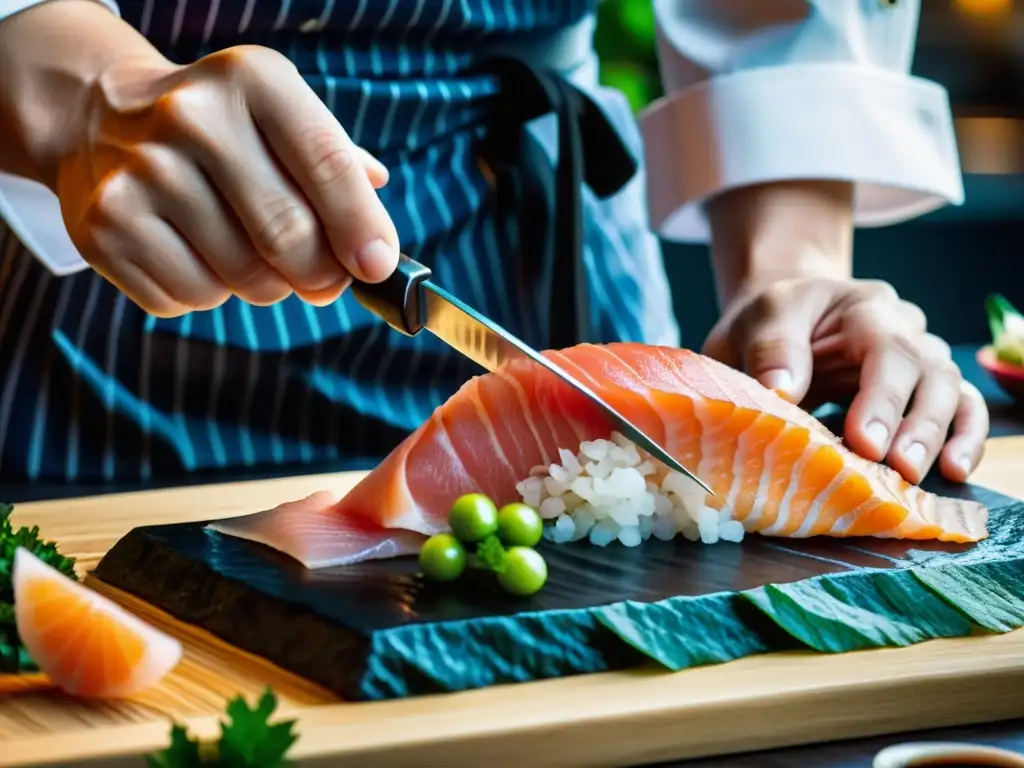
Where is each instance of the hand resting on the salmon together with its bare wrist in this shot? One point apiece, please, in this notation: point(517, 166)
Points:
point(796, 320)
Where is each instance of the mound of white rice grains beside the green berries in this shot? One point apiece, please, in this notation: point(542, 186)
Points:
point(611, 490)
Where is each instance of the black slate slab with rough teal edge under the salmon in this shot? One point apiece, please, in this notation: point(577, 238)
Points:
point(377, 630)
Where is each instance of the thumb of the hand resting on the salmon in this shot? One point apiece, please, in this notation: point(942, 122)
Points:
point(777, 350)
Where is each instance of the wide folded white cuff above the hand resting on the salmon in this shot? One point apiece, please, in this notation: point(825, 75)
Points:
point(889, 134)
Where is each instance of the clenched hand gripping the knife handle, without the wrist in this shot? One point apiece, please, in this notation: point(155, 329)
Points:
point(229, 177)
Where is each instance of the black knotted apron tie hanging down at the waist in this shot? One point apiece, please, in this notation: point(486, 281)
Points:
point(590, 150)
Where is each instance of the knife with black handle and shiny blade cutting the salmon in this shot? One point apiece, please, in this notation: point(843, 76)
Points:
point(409, 303)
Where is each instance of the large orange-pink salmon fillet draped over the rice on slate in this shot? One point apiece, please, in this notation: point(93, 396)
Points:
point(773, 466)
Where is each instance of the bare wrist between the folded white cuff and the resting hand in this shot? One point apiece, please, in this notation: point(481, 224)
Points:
point(783, 231)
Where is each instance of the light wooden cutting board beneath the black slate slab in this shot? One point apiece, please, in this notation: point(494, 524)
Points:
point(637, 717)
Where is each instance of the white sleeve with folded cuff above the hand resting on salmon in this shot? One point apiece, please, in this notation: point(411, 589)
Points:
point(774, 91)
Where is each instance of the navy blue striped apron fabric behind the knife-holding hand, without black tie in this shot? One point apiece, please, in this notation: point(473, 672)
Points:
point(93, 389)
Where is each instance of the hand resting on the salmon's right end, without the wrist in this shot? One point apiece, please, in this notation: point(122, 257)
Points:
point(826, 339)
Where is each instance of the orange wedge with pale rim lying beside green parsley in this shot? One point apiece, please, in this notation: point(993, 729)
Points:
point(86, 644)
